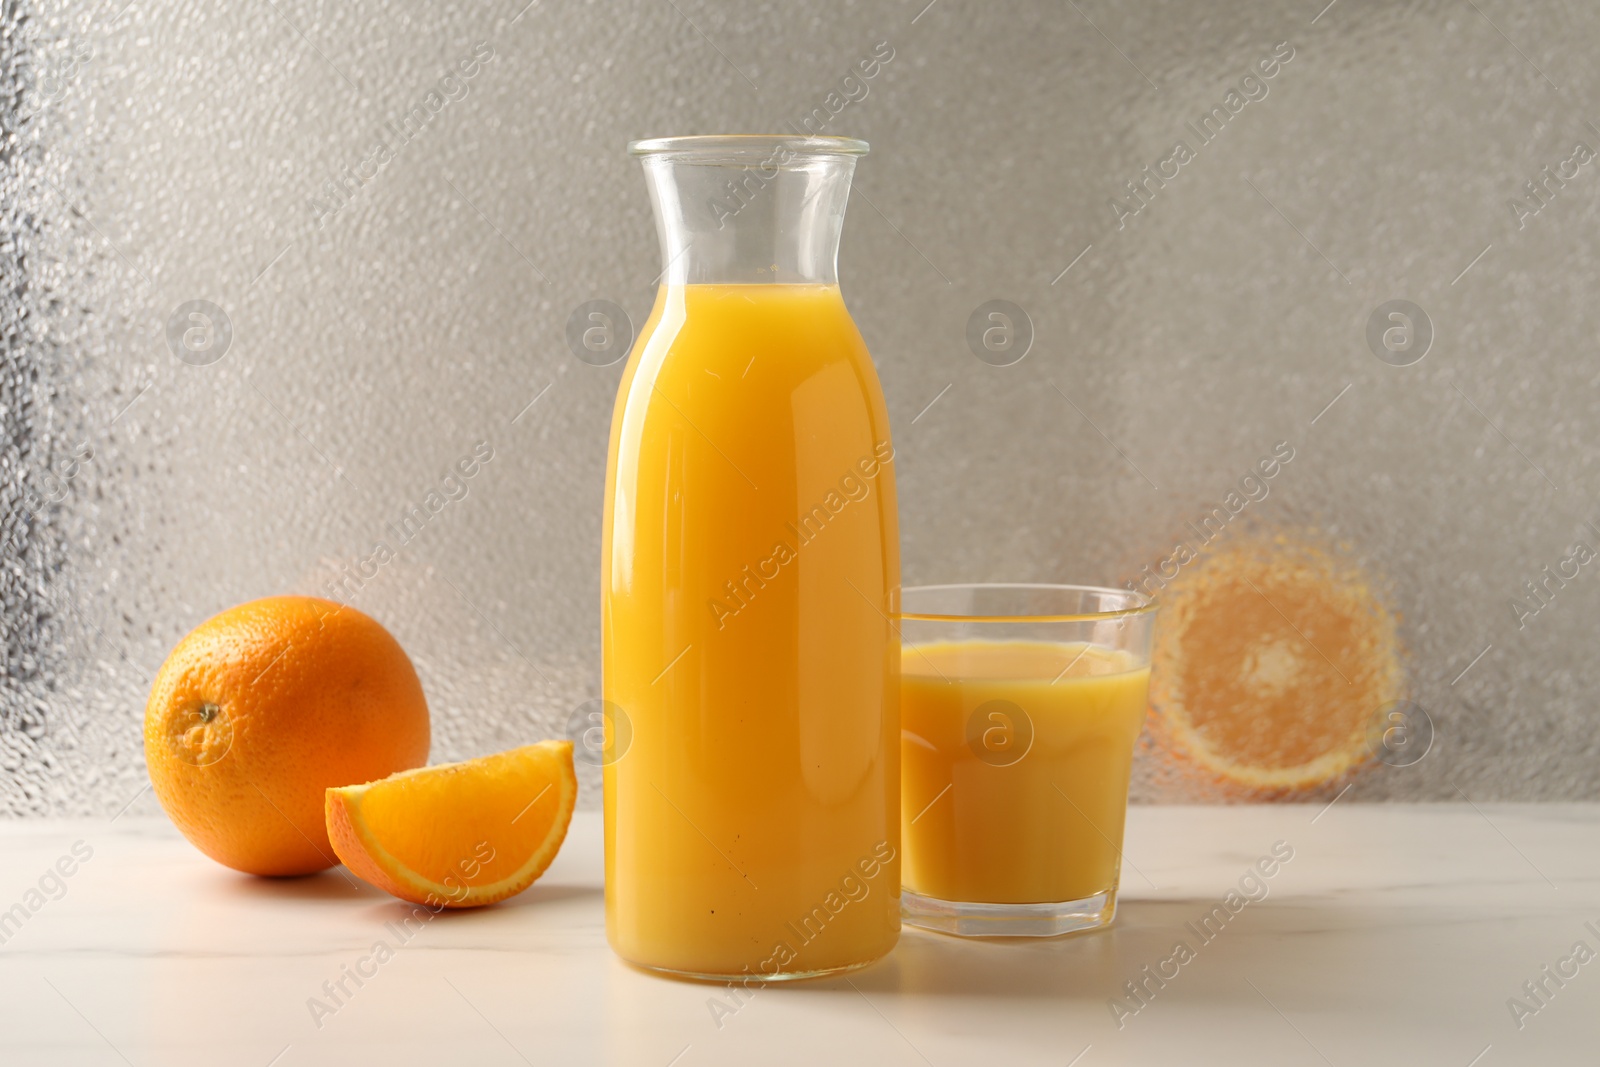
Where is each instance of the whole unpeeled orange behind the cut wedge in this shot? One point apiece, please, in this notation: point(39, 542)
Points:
point(265, 708)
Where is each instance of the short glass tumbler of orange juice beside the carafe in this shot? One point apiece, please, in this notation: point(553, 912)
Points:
point(1020, 711)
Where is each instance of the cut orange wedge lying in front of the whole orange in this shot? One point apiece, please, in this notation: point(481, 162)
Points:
point(458, 834)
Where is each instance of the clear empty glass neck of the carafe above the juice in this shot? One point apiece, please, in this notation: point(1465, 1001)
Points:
point(766, 220)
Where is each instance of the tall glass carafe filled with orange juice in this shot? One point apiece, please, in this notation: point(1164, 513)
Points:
point(750, 569)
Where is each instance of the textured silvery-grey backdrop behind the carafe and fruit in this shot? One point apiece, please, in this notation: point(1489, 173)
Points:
point(175, 158)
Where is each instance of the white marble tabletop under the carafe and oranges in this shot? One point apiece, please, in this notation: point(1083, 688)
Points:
point(1396, 935)
